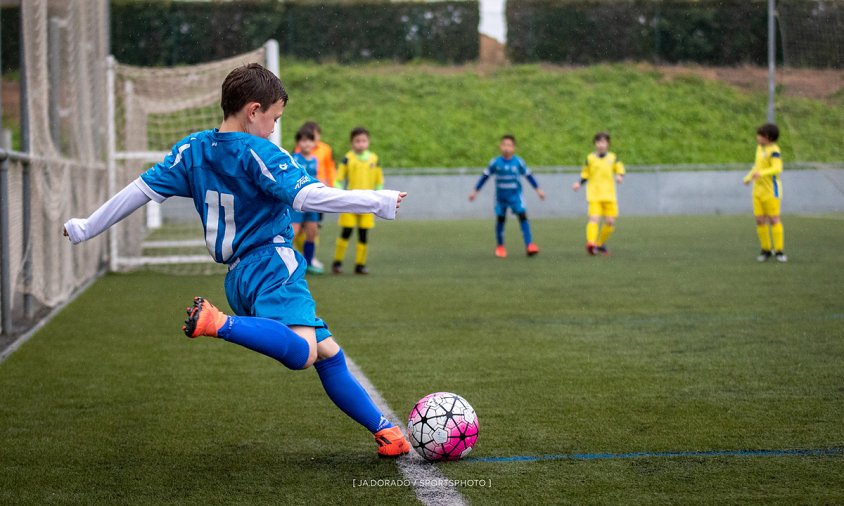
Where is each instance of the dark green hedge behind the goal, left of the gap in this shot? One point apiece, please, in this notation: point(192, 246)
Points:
point(169, 33)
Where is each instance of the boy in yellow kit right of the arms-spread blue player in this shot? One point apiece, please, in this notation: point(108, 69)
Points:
point(602, 171)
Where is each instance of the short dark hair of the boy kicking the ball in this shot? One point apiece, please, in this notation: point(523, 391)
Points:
point(250, 83)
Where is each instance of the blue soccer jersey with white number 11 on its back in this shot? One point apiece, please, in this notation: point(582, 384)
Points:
point(242, 186)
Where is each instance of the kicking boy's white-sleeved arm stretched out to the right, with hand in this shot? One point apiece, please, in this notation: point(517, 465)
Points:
point(322, 199)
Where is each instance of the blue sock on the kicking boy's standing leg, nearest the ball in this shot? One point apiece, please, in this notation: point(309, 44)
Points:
point(347, 393)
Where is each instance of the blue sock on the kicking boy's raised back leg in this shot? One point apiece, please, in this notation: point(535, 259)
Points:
point(268, 337)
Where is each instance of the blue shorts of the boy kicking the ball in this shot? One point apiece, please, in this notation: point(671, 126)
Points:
point(270, 282)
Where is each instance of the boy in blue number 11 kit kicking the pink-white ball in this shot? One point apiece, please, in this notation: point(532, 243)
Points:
point(243, 188)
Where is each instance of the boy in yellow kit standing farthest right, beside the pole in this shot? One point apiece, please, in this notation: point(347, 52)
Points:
point(767, 192)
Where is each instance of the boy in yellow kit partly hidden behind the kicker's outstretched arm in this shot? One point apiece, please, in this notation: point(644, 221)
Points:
point(359, 170)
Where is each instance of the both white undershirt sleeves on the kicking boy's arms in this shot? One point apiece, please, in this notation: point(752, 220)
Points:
point(315, 198)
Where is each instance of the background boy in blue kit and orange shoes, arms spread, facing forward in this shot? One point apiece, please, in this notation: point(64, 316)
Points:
point(508, 169)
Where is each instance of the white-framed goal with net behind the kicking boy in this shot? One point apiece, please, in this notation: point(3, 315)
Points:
point(150, 108)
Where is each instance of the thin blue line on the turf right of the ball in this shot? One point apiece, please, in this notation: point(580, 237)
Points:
point(794, 452)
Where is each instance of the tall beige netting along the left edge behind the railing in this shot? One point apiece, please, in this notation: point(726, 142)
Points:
point(59, 169)
